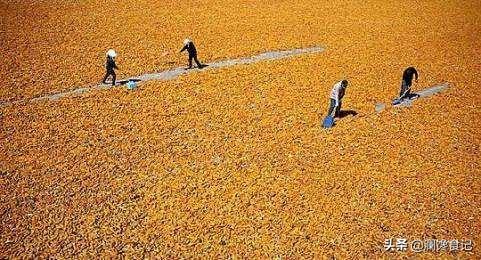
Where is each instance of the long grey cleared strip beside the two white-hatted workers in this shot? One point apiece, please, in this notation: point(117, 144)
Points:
point(174, 73)
